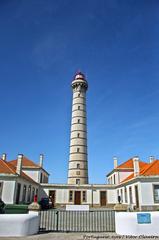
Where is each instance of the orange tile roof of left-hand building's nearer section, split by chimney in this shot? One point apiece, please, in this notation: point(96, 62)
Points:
point(8, 168)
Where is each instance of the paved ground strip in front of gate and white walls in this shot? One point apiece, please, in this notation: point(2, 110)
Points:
point(77, 236)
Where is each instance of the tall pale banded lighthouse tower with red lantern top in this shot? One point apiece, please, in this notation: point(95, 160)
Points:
point(78, 157)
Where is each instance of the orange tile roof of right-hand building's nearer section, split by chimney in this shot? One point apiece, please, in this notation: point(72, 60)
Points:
point(149, 169)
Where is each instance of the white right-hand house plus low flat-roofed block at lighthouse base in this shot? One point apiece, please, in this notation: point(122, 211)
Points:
point(136, 182)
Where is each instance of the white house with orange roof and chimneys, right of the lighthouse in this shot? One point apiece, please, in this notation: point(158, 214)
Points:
point(137, 183)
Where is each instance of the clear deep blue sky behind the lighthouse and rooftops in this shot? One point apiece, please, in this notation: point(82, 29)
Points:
point(115, 43)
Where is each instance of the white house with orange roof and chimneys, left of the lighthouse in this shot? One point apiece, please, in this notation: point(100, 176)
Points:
point(18, 185)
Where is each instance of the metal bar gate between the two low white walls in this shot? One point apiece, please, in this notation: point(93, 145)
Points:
point(77, 221)
